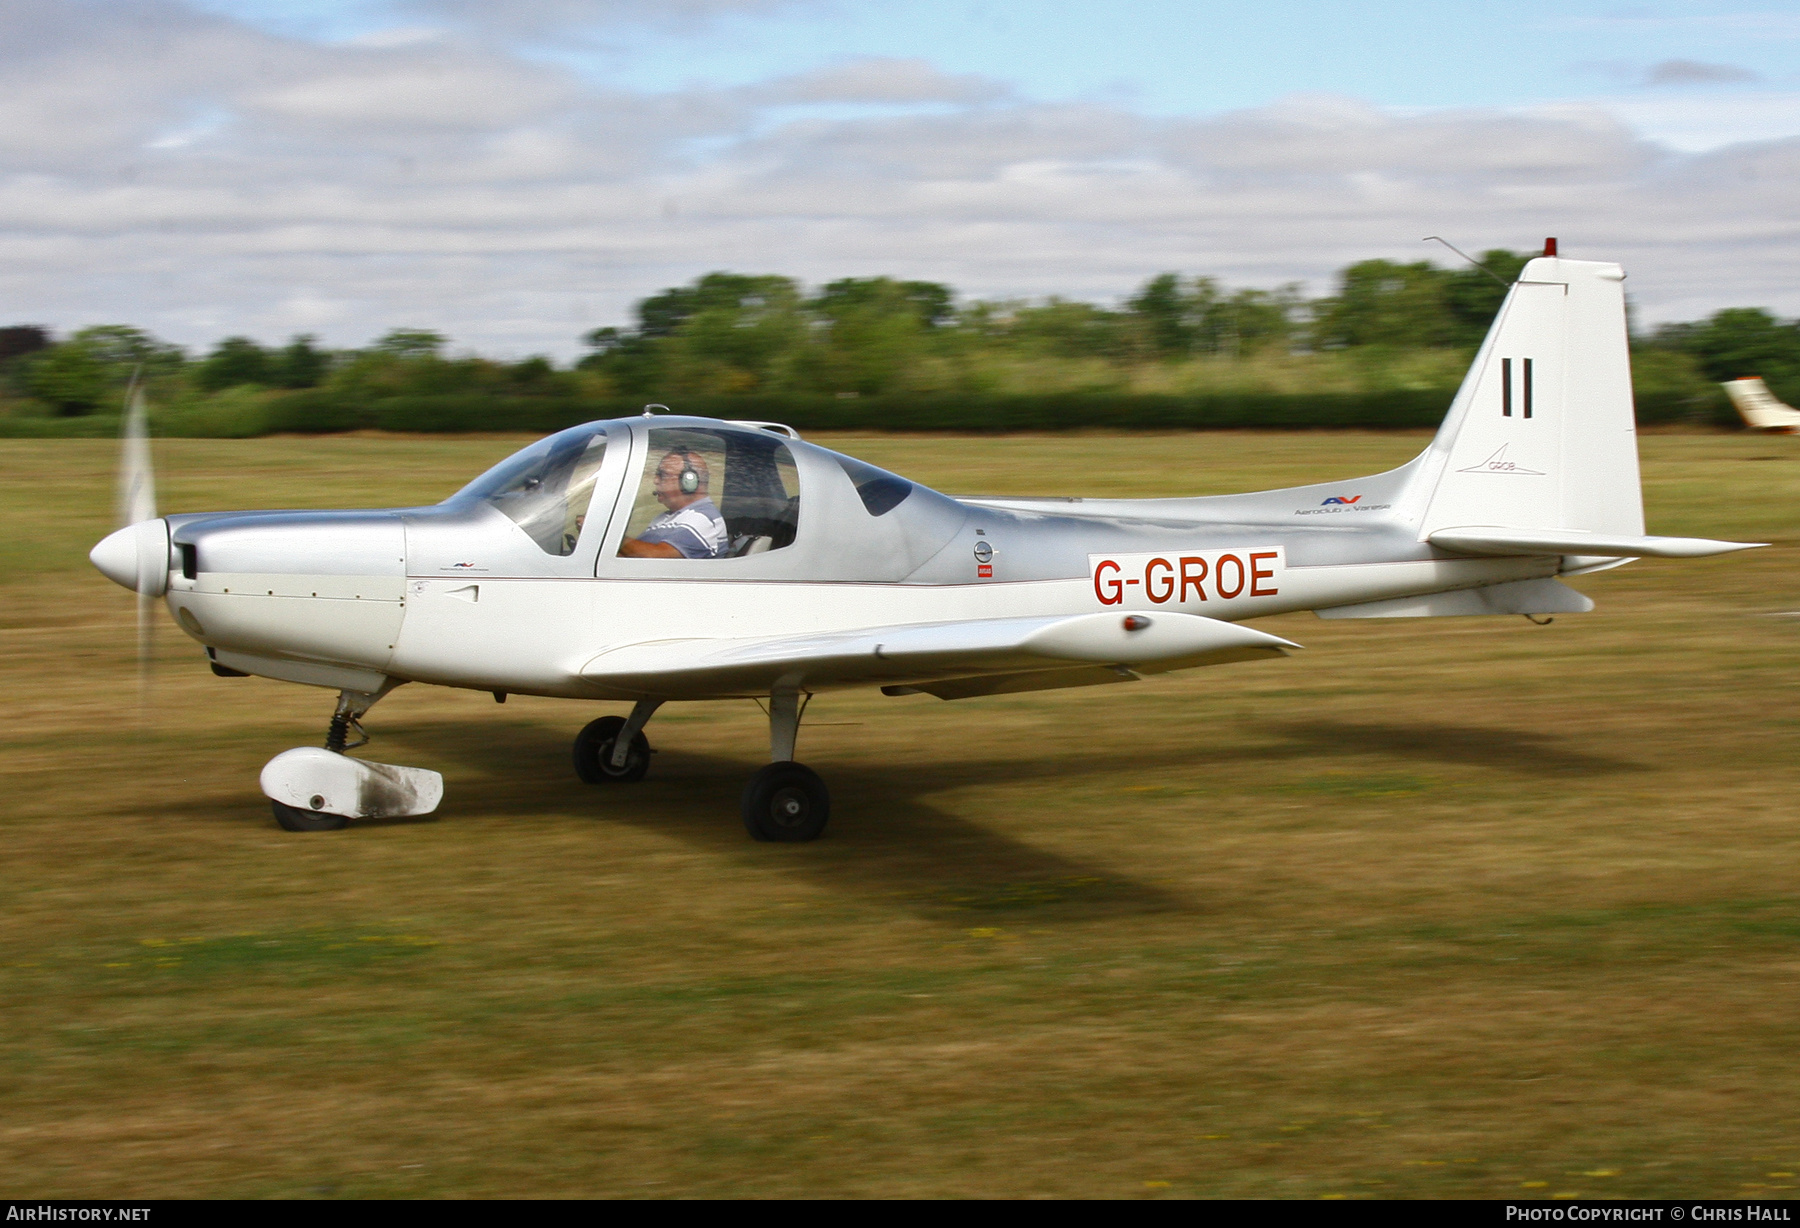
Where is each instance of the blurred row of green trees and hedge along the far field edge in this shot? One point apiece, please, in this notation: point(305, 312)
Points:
point(1389, 329)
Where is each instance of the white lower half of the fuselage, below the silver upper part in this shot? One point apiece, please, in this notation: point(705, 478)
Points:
point(532, 637)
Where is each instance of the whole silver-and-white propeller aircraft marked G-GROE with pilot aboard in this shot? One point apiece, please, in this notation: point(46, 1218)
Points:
point(669, 559)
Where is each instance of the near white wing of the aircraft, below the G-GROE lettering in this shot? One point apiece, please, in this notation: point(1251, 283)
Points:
point(967, 658)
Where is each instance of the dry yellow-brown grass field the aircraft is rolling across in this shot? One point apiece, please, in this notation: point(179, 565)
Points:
point(1434, 908)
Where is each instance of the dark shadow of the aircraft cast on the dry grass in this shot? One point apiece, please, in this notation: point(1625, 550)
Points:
point(899, 847)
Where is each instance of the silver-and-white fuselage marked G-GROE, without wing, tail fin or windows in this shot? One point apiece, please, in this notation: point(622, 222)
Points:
point(463, 595)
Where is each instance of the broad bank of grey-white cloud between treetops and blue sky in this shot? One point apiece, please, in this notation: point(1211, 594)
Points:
point(199, 177)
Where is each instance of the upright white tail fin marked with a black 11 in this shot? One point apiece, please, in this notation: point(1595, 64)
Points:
point(1542, 435)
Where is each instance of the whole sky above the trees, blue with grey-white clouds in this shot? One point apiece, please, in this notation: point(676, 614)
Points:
point(517, 174)
